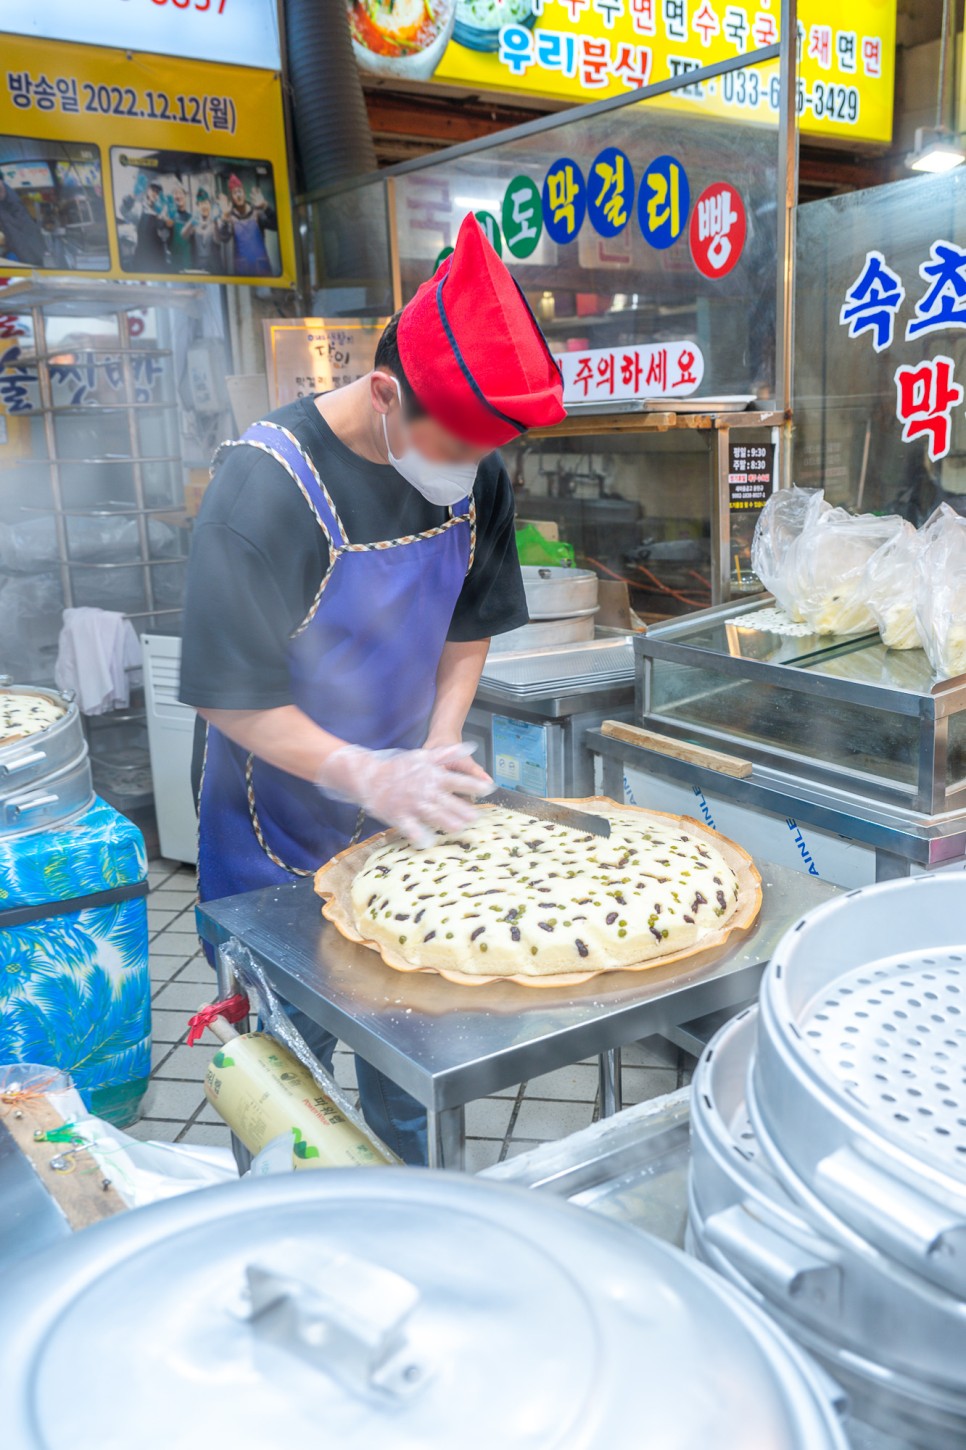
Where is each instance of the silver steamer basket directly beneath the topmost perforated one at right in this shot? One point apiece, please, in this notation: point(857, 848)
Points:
point(839, 1288)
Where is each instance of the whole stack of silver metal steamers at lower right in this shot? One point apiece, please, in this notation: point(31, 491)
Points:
point(829, 1167)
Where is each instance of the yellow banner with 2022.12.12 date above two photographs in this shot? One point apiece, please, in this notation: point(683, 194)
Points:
point(131, 166)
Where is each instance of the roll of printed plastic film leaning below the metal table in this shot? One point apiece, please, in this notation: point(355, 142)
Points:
point(262, 1091)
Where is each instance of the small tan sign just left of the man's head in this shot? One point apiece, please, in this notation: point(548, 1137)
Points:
point(308, 356)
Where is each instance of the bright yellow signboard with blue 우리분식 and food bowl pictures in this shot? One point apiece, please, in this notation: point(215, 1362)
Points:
point(588, 50)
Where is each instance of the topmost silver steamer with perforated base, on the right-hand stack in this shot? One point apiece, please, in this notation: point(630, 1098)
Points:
point(859, 1085)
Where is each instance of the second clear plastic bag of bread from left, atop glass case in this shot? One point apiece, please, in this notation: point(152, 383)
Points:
point(830, 571)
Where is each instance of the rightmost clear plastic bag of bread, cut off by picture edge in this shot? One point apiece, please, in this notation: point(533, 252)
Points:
point(941, 610)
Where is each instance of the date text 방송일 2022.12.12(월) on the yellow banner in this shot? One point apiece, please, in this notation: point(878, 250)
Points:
point(65, 95)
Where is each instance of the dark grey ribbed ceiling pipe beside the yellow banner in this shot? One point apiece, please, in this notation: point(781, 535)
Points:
point(331, 128)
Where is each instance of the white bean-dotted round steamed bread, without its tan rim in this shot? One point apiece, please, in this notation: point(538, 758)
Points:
point(517, 897)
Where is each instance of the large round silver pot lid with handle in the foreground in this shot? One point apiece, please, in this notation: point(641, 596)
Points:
point(394, 1309)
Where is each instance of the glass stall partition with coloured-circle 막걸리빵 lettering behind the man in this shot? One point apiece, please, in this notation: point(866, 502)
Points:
point(648, 489)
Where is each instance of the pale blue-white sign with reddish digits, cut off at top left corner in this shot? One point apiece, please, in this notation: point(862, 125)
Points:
point(236, 33)
